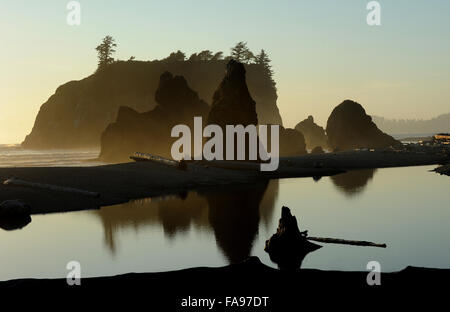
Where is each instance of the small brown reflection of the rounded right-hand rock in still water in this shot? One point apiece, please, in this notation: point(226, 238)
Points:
point(354, 181)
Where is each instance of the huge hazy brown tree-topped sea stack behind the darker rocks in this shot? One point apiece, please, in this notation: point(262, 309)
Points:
point(79, 111)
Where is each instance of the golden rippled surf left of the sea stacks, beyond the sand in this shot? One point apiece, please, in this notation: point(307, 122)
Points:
point(13, 155)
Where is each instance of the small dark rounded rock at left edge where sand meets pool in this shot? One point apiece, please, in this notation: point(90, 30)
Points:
point(14, 214)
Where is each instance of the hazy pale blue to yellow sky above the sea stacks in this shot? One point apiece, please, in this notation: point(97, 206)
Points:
point(322, 51)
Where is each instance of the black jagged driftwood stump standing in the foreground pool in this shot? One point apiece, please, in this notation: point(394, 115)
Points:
point(288, 246)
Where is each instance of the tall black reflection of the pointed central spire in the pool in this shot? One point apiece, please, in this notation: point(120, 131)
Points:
point(234, 217)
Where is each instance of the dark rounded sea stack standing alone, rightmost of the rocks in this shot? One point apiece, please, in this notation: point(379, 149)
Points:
point(349, 127)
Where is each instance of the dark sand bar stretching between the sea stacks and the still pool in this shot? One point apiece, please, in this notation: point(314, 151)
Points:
point(120, 183)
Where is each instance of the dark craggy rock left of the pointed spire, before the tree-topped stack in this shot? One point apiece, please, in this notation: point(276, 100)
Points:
point(150, 132)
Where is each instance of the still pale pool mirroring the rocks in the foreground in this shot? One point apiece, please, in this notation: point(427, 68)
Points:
point(406, 208)
